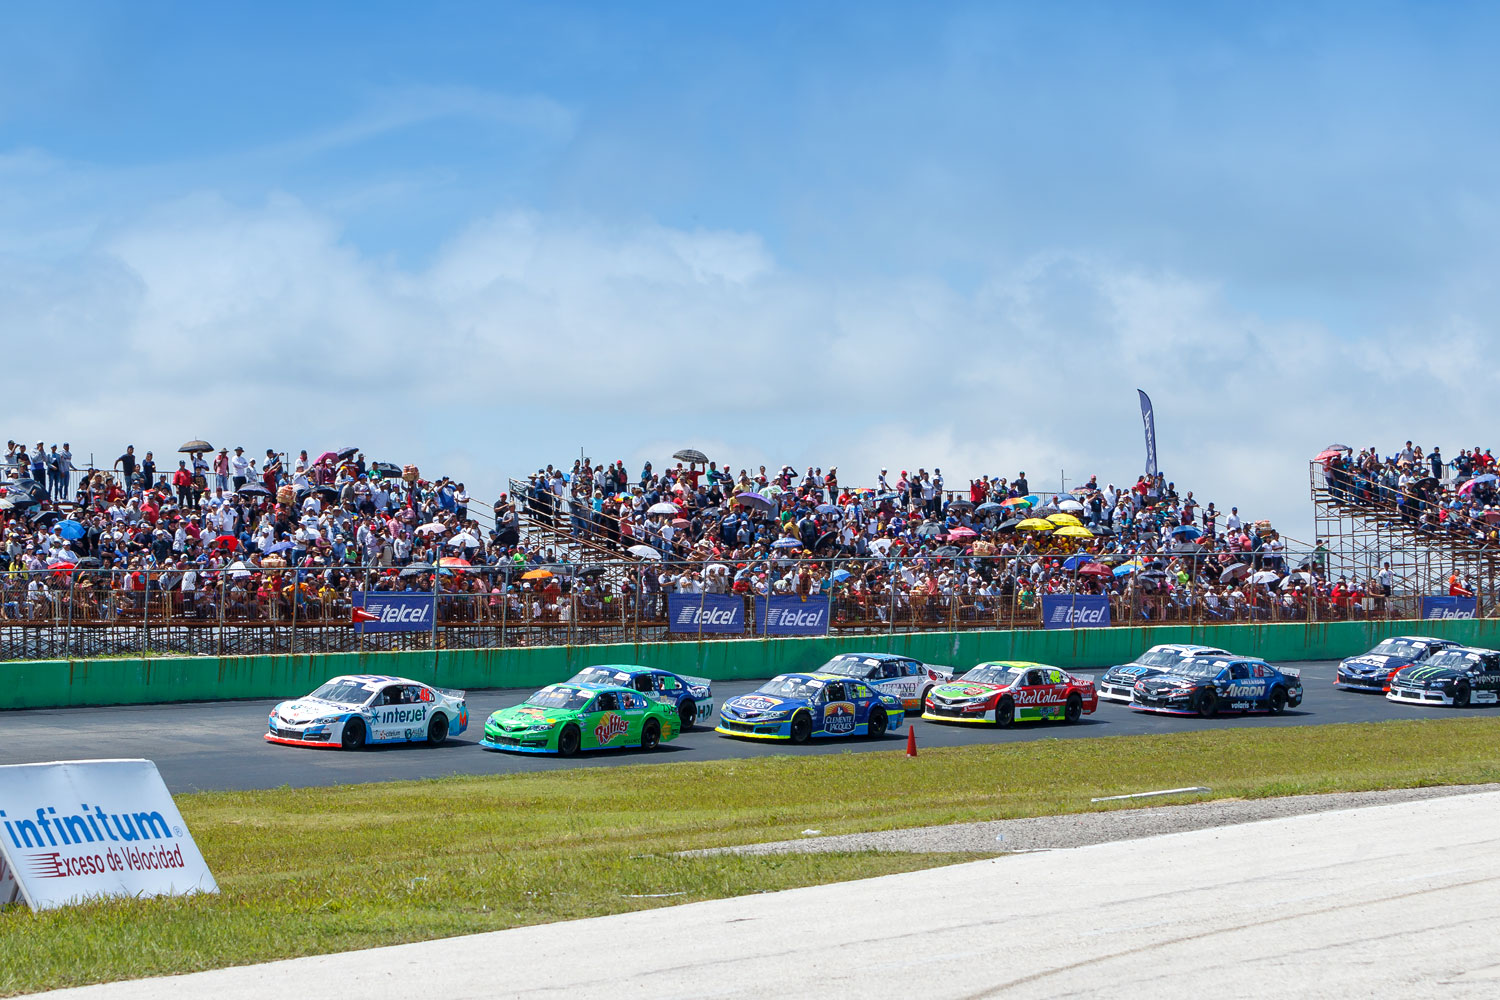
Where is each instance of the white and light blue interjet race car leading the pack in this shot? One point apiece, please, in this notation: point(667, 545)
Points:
point(365, 708)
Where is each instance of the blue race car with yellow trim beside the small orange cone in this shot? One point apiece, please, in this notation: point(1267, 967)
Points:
point(802, 707)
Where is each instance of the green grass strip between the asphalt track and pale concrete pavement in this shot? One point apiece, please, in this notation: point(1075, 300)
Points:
point(320, 870)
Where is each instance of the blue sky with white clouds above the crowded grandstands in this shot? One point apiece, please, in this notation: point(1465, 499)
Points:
point(487, 236)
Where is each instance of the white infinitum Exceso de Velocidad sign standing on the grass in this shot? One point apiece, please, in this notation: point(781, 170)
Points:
point(82, 830)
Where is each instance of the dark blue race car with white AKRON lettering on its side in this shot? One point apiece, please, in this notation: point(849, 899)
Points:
point(1207, 686)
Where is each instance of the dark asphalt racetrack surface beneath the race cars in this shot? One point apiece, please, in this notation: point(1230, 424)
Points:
point(208, 746)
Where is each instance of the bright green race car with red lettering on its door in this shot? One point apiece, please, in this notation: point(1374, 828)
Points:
point(565, 719)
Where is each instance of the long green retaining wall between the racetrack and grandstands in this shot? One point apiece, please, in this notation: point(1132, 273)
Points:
point(154, 680)
